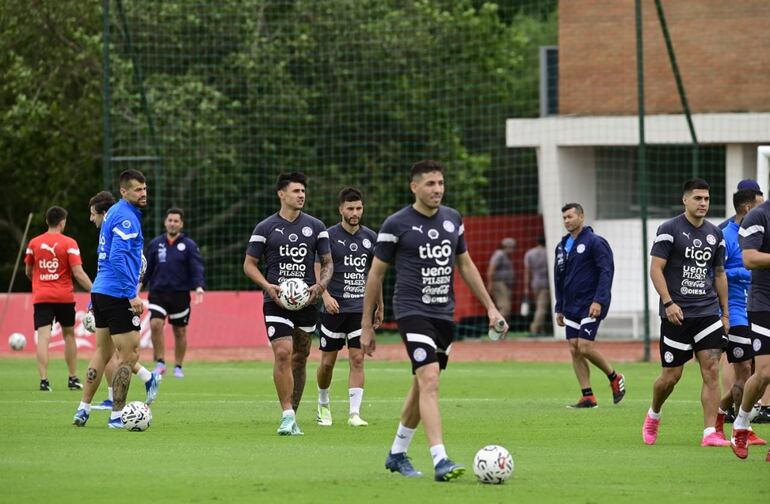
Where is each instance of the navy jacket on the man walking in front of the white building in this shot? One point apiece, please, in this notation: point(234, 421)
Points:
point(583, 275)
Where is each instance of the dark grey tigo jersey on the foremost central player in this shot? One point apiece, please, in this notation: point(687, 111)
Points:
point(423, 250)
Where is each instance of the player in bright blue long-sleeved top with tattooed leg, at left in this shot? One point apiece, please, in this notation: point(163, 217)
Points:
point(116, 305)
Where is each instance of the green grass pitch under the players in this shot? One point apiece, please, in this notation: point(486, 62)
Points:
point(213, 440)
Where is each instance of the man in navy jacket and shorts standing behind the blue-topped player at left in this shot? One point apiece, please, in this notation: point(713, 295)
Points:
point(174, 268)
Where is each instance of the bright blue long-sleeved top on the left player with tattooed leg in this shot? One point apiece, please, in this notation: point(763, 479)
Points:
point(120, 251)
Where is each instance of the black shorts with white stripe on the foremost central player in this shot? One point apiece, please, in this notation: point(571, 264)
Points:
point(427, 340)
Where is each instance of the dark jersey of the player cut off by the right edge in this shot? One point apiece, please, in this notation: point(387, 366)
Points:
point(755, 234)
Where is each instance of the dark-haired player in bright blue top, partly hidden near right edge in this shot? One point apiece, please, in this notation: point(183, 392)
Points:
point(740, 352)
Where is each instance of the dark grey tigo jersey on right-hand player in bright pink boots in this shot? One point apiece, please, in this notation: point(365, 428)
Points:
point(691, 254)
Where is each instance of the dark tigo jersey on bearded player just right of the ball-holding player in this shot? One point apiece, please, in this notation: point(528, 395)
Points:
point(352, 257)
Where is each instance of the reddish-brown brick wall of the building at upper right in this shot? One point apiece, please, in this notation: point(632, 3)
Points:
point(722, 48)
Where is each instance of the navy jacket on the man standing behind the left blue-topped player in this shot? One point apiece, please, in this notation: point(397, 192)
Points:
point(173, 267)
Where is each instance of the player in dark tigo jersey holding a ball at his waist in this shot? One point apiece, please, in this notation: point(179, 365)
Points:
point(288, 242)
